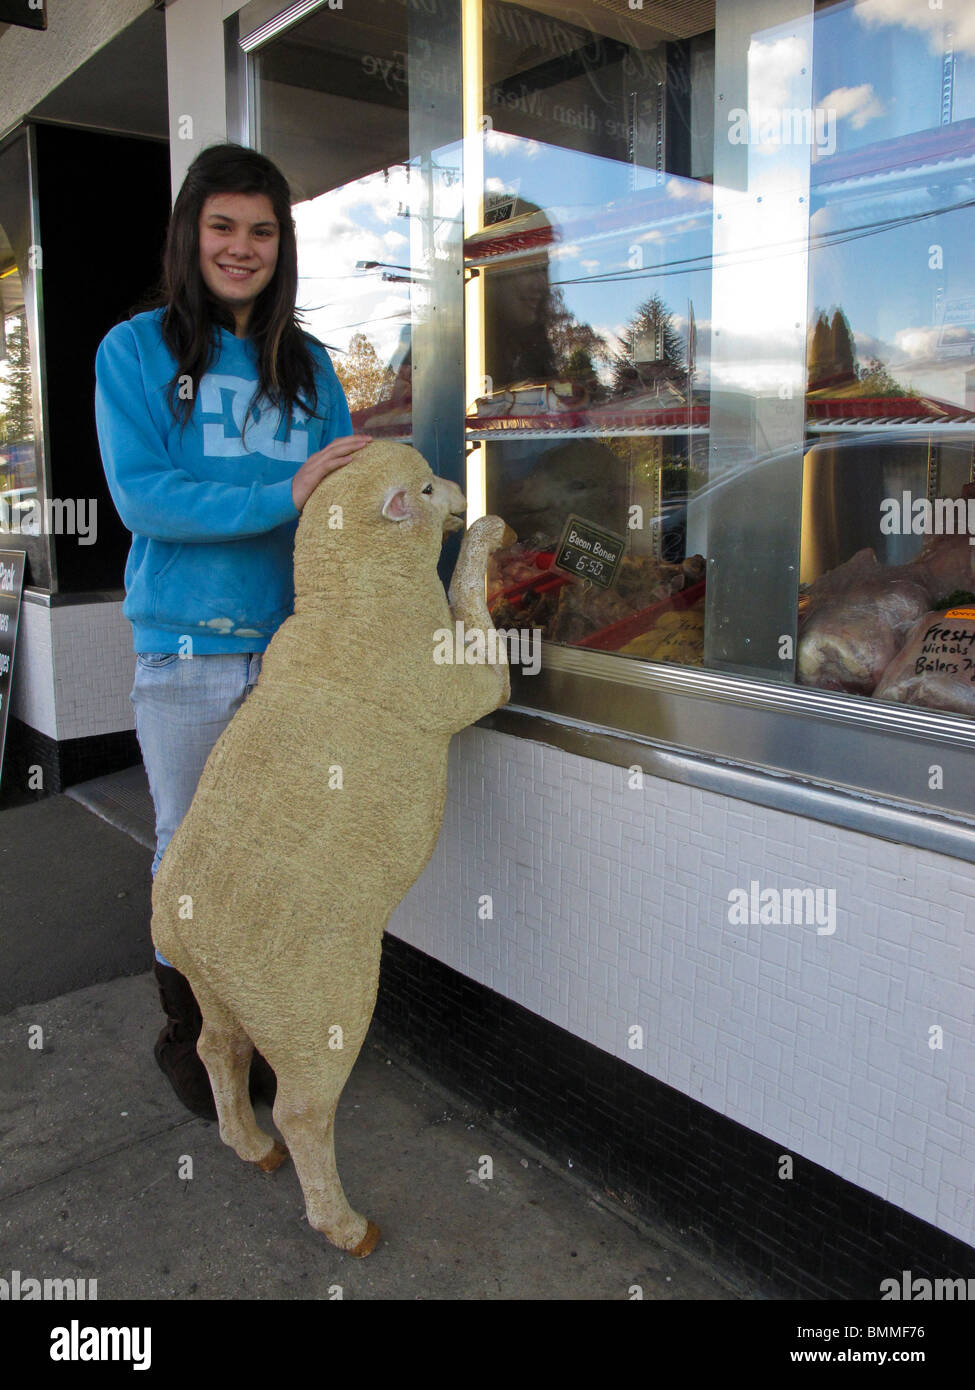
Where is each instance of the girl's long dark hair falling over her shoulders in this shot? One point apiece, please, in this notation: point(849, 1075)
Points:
point(193, 316)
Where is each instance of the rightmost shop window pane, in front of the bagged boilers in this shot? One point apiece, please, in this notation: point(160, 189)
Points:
point(888, 546)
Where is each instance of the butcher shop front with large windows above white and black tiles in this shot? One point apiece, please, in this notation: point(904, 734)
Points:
point(686, 294)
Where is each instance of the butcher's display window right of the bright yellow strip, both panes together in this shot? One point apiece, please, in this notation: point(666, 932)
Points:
point(731, 322)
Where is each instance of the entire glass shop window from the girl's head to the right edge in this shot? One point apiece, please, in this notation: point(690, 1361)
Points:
point(691, 287)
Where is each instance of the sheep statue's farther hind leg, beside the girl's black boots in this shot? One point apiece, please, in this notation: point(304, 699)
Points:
point(226, 1052)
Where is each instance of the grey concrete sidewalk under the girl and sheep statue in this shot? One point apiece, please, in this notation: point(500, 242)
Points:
point(97, 1152)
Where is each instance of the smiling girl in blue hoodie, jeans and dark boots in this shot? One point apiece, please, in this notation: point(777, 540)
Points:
point(218, 418)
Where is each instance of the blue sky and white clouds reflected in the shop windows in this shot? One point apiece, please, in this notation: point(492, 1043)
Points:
point(877, 72)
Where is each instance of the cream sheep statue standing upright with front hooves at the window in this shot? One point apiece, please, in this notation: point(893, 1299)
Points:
point(322, 804)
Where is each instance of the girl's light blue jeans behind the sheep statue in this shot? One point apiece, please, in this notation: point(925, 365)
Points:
point(183, 705)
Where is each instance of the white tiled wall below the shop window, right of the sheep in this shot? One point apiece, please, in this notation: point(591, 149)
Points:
point(611, 910)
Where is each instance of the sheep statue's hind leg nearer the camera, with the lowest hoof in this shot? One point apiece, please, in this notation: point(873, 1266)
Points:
point(305, 1114)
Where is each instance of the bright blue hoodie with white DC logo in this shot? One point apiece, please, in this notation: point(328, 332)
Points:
point(212, 516)
